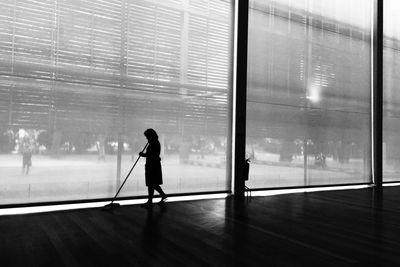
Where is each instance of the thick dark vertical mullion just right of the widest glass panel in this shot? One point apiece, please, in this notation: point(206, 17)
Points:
point(240, 97)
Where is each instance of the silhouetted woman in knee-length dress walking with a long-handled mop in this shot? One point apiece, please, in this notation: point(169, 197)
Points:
point(153, 173)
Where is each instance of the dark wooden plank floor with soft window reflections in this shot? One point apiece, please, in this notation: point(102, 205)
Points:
point(335, 228)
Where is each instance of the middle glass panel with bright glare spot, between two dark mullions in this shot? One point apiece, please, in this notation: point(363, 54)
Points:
point(308, 113)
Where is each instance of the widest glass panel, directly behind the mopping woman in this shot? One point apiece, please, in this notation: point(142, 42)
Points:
point(81, 81)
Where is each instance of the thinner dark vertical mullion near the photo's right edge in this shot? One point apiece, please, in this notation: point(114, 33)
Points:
point(377, 95)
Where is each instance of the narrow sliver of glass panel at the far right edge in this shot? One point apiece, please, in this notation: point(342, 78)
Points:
point(391, 96)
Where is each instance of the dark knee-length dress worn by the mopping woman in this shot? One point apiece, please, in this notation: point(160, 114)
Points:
point(153, 173)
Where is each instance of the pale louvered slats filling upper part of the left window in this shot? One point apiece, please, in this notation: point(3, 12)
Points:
point(115, 66)
